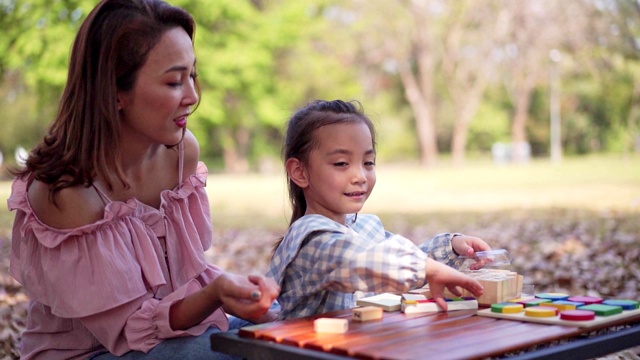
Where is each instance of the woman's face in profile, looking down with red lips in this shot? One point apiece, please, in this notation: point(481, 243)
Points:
point(155, 110)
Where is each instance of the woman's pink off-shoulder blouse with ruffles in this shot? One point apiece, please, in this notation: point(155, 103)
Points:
point(110, 284)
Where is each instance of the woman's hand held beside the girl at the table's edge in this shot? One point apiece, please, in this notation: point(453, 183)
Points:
point(248, 297)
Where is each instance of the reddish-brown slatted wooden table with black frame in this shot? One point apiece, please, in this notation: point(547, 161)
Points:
point(453, 335)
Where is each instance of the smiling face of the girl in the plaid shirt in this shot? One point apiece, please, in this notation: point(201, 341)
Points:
point(341, 171)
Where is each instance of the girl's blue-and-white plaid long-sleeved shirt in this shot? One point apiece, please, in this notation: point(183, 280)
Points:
point(321, 263)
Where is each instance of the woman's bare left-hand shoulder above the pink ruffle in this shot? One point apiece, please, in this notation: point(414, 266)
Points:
point(75, 206)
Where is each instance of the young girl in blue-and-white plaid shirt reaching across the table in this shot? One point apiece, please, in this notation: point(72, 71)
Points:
point(330, 251)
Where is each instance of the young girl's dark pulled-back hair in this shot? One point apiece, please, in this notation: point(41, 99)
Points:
point(300, 139)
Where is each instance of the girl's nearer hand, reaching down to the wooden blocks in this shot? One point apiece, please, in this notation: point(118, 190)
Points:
point(441, 276)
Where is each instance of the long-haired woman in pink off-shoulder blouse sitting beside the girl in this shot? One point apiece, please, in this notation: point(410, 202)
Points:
point(112, 217)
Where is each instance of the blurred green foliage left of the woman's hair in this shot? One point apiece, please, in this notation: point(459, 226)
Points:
point(34, 53)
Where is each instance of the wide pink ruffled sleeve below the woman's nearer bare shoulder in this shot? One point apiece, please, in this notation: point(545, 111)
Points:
point(82, 271)
